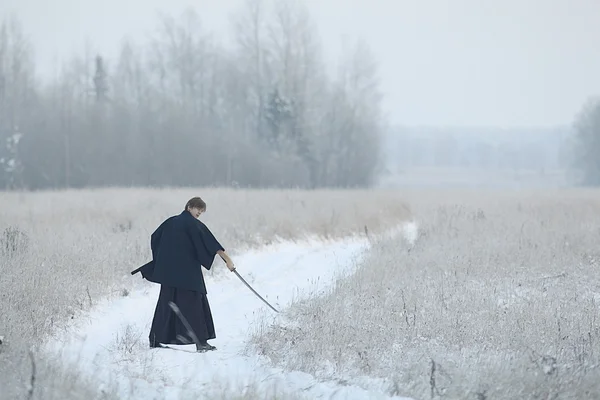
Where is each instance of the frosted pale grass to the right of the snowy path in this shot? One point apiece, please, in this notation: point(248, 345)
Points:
point(499, 298)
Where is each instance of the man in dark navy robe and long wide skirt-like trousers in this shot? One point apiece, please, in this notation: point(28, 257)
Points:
point(180, 246)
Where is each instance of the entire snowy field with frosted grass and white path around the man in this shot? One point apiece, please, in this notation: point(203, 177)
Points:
point(496, 295)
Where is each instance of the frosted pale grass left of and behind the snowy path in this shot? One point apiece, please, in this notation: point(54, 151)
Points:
point(60, 252)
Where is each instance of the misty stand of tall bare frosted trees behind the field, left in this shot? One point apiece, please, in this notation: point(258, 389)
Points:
point(182, 109)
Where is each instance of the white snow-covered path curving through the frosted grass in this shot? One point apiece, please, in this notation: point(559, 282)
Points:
point(111, 342)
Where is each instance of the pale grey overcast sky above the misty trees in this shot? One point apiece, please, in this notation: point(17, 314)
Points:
point(501, 64)
